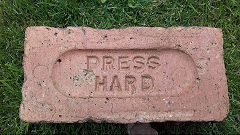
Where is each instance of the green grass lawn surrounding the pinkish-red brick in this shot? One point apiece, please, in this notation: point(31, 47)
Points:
point(16, 15)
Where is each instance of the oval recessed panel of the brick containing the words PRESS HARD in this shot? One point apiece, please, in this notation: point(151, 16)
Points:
point(123, 73)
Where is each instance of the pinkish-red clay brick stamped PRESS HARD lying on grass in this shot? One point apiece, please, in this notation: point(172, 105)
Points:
point(127, 75)
